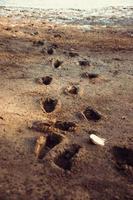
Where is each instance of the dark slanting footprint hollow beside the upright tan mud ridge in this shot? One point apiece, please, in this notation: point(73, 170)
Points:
point(52, 140)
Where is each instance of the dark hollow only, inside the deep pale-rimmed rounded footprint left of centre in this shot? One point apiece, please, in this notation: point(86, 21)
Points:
point(49, 105)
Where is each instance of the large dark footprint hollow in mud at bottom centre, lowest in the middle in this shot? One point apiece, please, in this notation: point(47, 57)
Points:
point(64, 160)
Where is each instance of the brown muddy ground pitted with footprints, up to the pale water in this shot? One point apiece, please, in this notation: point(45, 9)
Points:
point(64, 83)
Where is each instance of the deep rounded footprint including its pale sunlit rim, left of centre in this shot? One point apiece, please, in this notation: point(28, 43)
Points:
point(49, 105)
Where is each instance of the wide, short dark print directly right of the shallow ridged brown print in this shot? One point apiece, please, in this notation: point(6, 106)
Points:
point(65, 126)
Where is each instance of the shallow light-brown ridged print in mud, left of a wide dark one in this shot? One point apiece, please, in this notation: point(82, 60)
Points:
point(41, 126)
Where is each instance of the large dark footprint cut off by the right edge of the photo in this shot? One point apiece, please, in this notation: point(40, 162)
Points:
point(123, 160)
